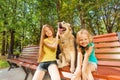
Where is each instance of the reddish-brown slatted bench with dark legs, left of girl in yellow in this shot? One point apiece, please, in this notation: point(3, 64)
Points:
point(27, 60)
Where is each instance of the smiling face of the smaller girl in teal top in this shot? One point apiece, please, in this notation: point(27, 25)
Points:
point(83, 40)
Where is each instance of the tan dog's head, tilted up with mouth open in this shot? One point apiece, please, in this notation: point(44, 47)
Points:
point(64, 28)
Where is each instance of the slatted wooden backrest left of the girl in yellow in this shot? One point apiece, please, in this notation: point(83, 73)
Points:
point(29, 54)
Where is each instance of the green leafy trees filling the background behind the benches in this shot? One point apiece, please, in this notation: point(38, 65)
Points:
point(21, 20)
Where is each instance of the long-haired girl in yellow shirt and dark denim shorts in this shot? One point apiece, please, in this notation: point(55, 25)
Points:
point(47, 55)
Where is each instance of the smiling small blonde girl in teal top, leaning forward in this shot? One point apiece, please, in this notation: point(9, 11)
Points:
point(86, 59)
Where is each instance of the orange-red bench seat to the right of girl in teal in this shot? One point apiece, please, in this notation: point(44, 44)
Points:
point(108, 73)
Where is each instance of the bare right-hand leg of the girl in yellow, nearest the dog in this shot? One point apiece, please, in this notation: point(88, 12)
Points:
point(53, 71)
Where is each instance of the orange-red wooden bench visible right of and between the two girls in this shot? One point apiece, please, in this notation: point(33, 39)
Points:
point(107, 48)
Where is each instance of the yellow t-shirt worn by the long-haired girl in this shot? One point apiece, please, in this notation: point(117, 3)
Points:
point(49, 54)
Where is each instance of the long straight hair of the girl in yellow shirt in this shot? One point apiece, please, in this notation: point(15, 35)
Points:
point(43, 36)
